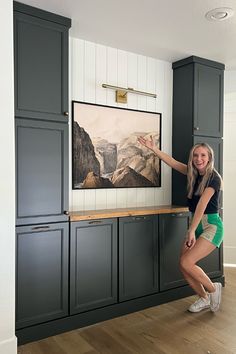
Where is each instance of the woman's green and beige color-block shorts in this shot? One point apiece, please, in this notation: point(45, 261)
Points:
point(211, 228)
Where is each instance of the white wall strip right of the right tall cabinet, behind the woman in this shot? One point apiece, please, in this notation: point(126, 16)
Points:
point(229, 167)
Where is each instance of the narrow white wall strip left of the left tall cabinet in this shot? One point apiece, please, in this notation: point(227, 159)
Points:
point(7, 184)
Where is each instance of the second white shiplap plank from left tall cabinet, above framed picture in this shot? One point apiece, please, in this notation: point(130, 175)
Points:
point(89, 72)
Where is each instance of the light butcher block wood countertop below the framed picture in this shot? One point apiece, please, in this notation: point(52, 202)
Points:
point(115, 213)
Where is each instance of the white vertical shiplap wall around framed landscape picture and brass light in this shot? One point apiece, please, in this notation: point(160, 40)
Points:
point(93, 64)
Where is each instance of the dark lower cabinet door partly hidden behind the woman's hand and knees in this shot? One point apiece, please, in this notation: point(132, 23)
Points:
point(172, 232)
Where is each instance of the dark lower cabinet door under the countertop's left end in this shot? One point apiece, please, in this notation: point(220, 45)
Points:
point(93, 264)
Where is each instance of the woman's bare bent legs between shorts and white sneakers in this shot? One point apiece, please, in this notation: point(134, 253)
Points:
point(194, 275)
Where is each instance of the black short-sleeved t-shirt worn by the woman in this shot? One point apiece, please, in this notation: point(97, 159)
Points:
point(213, 204)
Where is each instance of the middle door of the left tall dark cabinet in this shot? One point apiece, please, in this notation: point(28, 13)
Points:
point(41, 170)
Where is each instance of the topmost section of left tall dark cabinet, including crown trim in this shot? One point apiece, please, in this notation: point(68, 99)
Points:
point(41, 64)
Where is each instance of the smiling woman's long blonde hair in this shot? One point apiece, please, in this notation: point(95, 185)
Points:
point(192, 172)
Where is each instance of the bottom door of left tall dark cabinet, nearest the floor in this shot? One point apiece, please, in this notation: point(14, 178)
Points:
point(41, 273)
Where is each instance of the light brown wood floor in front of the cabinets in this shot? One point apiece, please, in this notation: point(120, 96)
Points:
point(164, 329)
